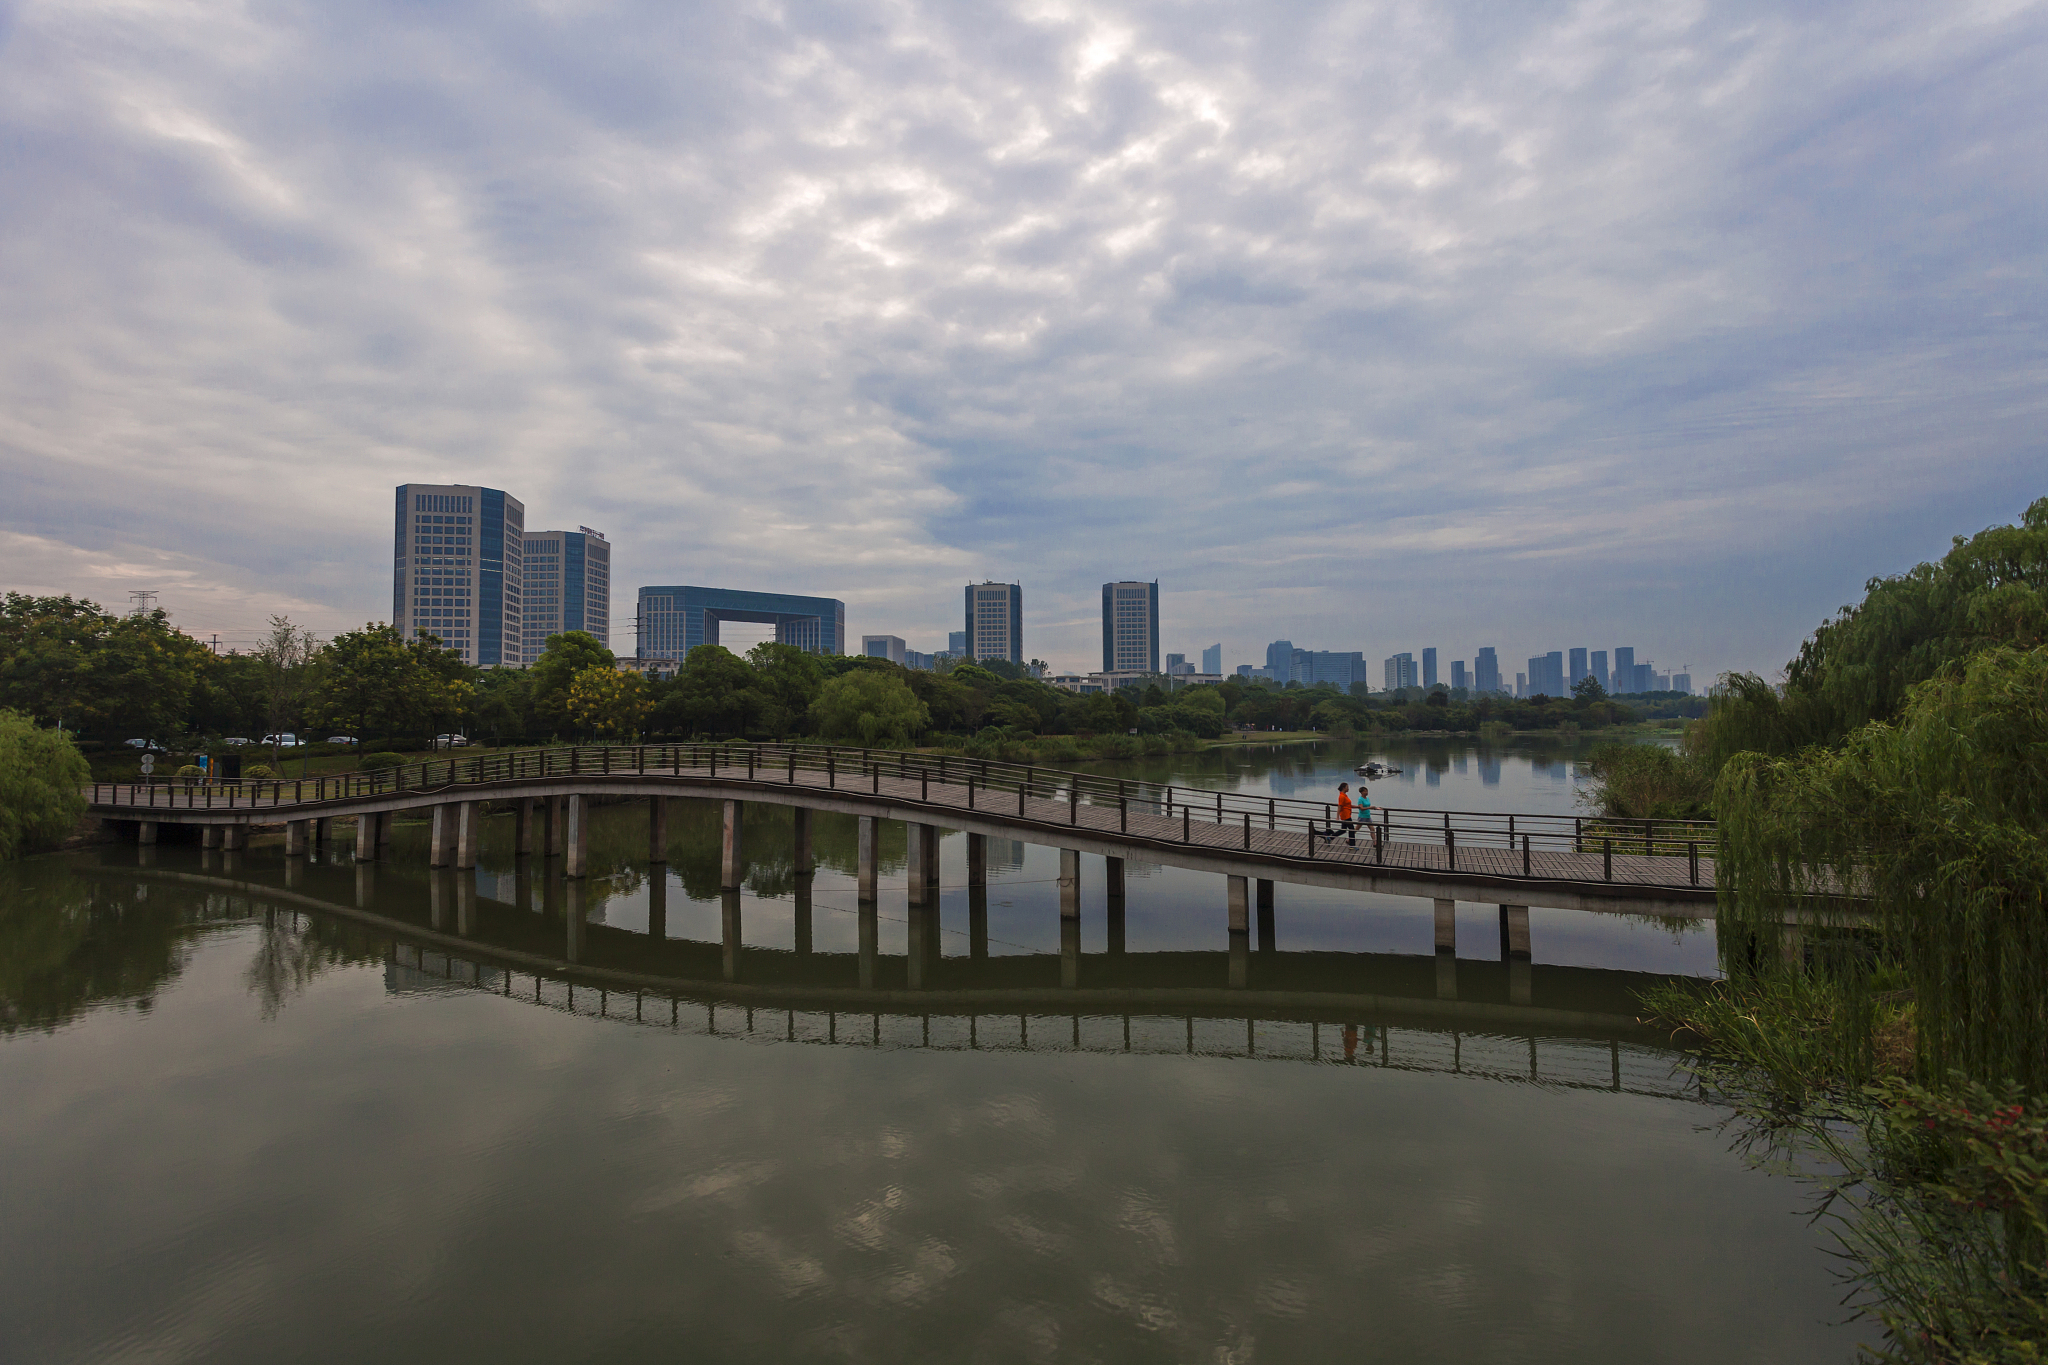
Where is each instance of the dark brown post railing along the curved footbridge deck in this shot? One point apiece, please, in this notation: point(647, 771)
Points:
point(1148, 809)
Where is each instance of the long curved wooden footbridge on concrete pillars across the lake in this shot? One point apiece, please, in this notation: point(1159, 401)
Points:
point(1252, 842)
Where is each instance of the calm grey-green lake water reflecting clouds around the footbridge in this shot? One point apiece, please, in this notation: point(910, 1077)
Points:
point(247, 1129)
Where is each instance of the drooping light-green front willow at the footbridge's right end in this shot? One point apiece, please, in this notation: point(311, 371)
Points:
point(1938, 824)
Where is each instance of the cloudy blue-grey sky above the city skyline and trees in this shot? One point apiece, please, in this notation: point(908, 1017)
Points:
point(1367, 326)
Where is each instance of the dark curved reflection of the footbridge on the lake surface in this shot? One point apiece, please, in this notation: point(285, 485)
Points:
point(1506, 1020)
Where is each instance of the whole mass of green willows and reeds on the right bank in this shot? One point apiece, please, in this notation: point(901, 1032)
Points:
point(1883, 869)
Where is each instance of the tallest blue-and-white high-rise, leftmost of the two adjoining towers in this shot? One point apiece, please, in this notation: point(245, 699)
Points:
point(458, 570)
